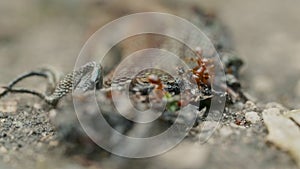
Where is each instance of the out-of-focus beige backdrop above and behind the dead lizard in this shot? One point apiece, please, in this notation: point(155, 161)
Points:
point(35, 33)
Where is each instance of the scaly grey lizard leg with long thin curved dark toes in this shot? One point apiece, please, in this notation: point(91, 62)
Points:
point(85, 78)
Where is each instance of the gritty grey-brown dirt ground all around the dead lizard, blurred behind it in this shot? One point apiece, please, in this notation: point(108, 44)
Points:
point(38, 33)
